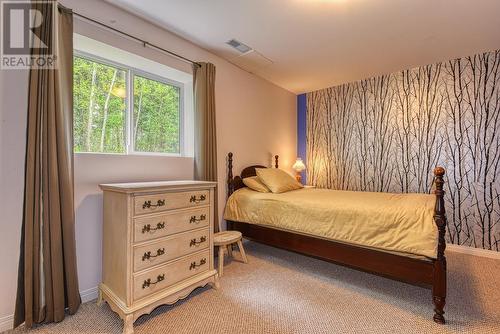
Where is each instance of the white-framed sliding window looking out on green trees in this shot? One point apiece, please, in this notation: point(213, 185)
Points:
point(120, 109)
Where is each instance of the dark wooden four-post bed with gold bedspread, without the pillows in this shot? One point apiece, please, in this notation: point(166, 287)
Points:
point(398, 236)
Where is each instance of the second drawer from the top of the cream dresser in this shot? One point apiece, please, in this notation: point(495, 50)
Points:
point(153, 227)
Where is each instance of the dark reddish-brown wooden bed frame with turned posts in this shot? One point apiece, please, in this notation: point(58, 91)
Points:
point(428, 273)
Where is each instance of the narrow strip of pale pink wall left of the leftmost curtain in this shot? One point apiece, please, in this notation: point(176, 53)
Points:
point(13, 104)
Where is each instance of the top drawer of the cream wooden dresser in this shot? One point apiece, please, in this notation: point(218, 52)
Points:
point(167, 201)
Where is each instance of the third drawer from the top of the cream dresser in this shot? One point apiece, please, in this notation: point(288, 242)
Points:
point(170, 248)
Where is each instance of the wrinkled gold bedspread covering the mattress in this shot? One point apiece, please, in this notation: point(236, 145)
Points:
point(400, 223)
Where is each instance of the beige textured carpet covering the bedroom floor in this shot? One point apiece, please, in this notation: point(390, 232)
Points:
point(282, 292)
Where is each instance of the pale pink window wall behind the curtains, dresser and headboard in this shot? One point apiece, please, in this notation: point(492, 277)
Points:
point(255, 120)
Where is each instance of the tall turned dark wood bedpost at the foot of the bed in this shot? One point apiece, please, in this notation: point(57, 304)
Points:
point(439, 276)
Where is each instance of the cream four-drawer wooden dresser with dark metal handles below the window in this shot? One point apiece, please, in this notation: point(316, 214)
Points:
point(157, 245)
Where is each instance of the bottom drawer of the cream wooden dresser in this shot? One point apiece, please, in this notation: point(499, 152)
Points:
point(160, 278)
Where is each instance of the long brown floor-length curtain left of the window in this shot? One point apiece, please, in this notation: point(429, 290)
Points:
point(47, 281)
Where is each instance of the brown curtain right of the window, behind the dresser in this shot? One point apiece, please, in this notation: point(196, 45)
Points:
point(205, 139)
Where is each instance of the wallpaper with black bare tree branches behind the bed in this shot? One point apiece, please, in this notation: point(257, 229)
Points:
point(387, 134)
